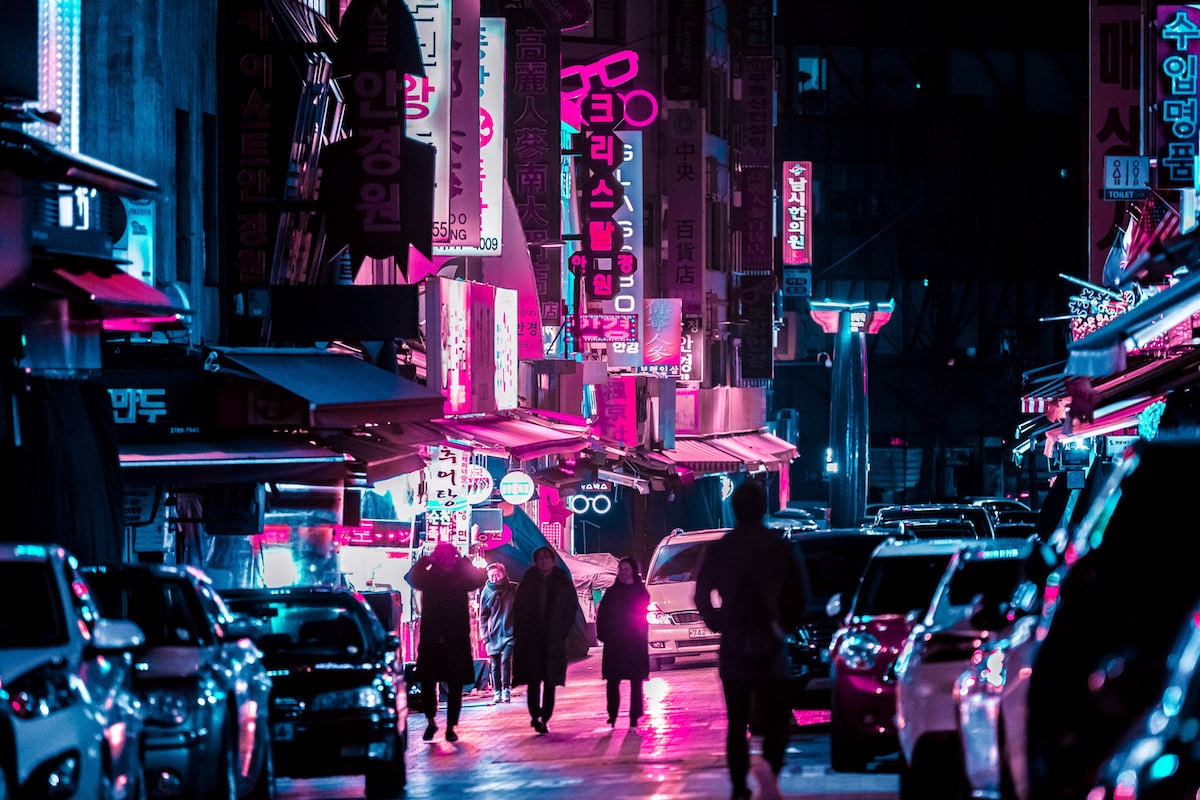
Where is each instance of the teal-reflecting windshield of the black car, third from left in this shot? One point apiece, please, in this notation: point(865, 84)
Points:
point(299, 629)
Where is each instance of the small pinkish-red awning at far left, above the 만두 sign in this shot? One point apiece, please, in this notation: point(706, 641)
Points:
point(124, 302)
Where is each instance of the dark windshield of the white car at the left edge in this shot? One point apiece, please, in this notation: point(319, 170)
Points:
point(31, 611)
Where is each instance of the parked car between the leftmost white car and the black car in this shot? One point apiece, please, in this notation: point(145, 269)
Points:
point(201, 681)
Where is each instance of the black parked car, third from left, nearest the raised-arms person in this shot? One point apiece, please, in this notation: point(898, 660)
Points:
point(340, 702)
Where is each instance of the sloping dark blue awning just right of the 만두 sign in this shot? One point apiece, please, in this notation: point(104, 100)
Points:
point(340, 390)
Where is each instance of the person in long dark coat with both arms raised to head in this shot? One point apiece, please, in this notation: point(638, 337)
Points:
point(446, 580)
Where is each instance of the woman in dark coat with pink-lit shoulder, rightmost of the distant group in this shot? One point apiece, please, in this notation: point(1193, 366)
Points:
point(625, 630)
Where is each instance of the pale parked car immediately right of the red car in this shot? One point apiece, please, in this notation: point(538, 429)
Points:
point(969, 607)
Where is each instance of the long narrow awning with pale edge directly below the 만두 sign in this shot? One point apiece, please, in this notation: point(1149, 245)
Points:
point(243, 461)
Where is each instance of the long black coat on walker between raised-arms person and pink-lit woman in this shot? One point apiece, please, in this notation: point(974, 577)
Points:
point(541, 630)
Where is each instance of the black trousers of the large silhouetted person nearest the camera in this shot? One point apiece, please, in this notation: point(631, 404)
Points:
point(773, 701)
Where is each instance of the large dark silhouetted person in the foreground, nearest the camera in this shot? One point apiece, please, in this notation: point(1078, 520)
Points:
point(764, 593)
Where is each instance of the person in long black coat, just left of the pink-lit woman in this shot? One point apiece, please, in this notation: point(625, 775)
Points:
point(544, 611)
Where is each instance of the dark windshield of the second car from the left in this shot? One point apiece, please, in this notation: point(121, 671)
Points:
point(166, 610)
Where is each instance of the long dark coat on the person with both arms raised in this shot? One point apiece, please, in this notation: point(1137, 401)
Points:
point(445, 648)
